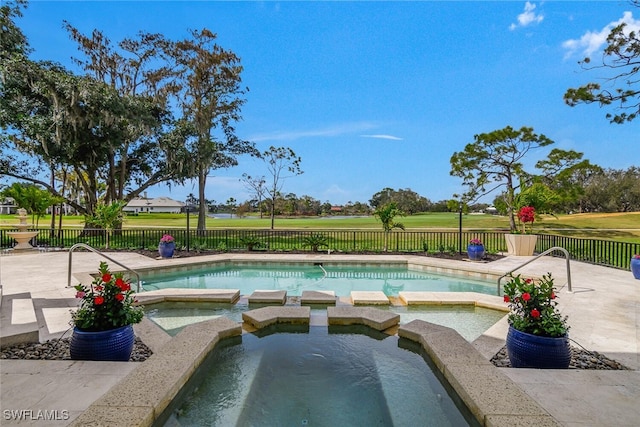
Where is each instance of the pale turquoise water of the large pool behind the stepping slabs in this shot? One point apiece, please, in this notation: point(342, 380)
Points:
point(296, 279)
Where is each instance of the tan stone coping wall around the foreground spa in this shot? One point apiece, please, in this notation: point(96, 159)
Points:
point(143, 395)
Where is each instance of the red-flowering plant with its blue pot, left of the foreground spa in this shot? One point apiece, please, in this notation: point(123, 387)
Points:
point(103, 321)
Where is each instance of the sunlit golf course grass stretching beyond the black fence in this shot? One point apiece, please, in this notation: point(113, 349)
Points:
point(612, 226)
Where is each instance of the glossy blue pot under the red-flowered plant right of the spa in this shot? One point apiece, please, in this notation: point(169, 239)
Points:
point(532, 351)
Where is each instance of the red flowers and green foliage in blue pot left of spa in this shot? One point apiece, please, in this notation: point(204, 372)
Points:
point(108, 303)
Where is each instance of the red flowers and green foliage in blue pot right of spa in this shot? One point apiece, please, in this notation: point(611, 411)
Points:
point(533, 306)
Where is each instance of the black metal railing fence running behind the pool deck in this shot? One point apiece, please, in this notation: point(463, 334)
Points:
point(602, 252)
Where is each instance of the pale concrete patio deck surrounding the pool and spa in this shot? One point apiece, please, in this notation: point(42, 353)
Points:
point(603, 313)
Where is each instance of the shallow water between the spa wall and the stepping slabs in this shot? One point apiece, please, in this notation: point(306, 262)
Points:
point(469, 321)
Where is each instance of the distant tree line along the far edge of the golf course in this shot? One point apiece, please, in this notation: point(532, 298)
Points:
point(600, 190)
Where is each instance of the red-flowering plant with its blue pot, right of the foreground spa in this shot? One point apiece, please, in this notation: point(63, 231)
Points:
point(538, 333)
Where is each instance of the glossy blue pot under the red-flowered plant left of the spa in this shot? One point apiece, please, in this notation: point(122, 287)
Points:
point(113, 345)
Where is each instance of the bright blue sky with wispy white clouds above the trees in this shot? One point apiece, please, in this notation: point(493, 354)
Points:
point(380, 94)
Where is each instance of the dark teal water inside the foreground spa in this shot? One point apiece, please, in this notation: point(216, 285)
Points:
point(319, 378)
